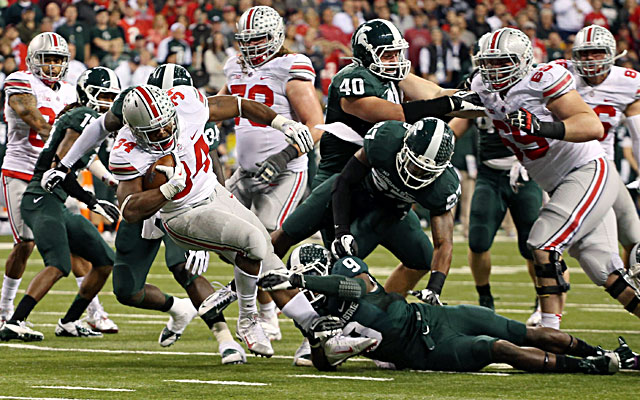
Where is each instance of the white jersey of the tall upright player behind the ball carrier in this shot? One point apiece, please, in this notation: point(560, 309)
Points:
point(266, 84)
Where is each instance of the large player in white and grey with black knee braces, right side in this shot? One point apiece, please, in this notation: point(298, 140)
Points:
point(542, 119)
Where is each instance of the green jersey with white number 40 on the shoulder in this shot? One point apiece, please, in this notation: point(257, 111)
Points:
point(352, 81)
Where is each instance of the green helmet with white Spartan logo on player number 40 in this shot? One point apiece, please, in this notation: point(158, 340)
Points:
point(369, 43)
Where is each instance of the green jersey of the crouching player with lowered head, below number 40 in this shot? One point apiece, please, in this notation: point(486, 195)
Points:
point(381, 145)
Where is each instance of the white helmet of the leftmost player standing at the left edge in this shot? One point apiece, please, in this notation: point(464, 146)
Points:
point(48, 43)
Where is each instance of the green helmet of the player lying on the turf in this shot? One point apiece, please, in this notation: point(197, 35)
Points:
point(310, 259)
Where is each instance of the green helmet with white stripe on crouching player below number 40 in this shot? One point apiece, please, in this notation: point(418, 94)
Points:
point(426, 152)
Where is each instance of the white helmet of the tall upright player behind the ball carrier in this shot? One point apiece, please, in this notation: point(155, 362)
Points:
point(260, 22)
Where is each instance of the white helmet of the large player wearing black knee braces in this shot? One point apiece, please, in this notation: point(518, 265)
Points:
point(504, 59)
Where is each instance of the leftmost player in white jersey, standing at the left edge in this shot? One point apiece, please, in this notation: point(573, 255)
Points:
point(33, 99)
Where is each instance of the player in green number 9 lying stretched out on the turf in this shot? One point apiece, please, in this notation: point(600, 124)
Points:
point(448, 338)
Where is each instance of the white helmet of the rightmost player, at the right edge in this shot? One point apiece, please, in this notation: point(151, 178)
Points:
point(594, 37)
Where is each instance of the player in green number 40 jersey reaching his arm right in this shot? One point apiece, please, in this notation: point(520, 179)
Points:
point(374, 88)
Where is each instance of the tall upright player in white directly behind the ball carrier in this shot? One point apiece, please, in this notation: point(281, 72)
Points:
point(271, 179)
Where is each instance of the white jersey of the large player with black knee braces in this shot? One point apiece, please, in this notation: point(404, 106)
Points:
point(548, 161)
